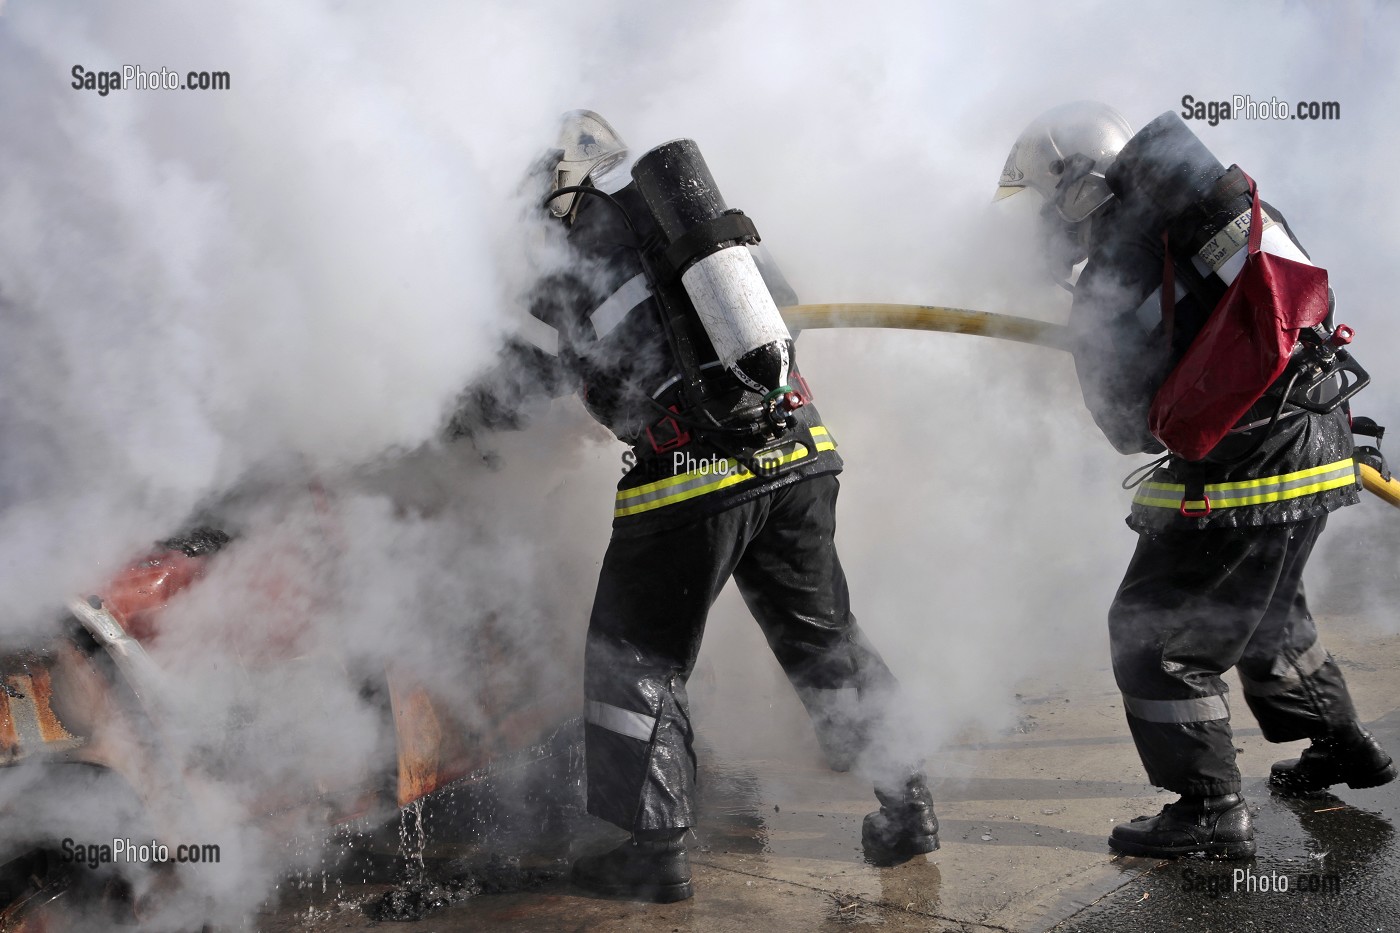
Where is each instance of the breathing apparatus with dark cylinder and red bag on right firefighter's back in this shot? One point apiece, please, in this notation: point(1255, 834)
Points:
point(1270, 337)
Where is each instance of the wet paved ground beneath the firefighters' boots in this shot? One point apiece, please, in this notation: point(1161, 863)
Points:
point(1025, 817)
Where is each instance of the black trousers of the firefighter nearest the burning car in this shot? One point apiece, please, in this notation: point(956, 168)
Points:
point(647, 621)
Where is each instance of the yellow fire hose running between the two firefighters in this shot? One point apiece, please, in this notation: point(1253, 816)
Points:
point(1006, 327)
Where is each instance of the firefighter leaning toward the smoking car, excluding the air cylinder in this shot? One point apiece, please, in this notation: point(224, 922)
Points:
point(723, 483)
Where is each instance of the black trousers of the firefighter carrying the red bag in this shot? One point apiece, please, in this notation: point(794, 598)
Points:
point(1192, 606)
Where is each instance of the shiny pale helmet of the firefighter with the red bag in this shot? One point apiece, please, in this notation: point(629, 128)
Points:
point(1063, 156)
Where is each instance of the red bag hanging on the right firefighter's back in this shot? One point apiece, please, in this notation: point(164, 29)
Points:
point(1242, 350)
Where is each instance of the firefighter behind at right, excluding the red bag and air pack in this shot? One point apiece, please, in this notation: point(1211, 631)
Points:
point(1217, 576)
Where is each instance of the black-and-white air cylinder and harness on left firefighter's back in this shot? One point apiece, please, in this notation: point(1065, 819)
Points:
point(710, 295)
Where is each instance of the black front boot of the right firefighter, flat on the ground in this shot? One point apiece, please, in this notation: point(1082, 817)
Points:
point(1214, 827)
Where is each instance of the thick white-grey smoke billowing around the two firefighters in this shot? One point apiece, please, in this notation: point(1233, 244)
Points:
point(248, 289)
